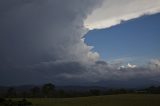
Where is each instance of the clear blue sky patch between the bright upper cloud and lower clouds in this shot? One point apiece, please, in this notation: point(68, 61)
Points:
point(135, 41)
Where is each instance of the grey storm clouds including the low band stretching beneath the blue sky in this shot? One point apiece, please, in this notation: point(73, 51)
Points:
point(41, 41)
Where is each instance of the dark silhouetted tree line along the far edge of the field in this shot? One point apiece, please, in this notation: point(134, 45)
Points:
point(49, 91)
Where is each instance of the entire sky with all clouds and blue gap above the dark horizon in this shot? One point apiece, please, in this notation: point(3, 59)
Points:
point(72, 42)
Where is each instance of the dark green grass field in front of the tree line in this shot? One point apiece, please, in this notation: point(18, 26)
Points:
point(110, 100)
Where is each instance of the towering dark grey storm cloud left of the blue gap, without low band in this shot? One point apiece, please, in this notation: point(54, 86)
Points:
point(34, 32)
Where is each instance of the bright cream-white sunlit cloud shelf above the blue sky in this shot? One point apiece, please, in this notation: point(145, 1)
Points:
point(113, 12)
